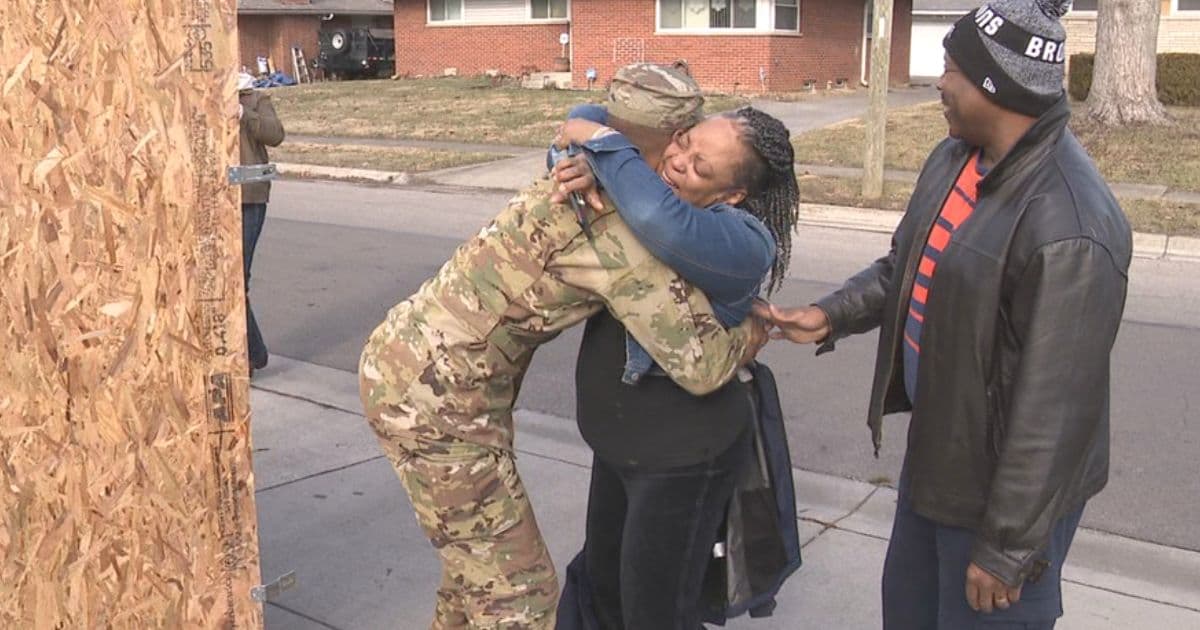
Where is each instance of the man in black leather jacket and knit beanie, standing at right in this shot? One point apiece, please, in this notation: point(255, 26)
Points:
point(999, 303)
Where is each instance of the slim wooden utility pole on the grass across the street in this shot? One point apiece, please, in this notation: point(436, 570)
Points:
point(878, 111)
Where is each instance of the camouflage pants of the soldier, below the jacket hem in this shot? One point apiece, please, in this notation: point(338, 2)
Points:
point(496, 571)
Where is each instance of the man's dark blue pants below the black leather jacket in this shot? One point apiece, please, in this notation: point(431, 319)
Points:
point(925, 578)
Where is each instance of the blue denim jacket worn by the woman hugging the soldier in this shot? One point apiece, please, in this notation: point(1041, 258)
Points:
point(722, 250)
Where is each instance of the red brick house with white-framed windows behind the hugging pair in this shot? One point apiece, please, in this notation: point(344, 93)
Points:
point(747, 46)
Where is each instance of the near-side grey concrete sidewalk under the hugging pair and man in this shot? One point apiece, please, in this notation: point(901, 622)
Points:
point(332, 511)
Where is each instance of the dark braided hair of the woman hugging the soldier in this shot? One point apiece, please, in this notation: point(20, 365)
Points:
point(770, 181)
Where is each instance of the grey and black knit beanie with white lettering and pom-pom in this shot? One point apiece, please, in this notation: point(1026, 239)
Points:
point(1015, 52)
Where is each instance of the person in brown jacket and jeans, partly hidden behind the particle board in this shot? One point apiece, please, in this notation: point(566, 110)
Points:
point(260, 128)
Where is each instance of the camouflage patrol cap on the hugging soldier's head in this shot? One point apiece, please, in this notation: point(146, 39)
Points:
point(655, 95)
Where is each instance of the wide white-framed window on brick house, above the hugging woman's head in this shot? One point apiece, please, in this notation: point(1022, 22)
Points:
point(728, 15)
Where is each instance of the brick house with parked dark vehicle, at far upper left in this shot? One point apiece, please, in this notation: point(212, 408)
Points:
point(271, 28)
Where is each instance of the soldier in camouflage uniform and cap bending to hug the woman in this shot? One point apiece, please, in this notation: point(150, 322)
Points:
point(441, 375)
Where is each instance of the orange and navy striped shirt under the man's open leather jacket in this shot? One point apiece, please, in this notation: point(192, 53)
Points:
point(958, 208)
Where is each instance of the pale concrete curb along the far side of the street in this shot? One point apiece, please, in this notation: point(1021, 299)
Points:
point(1145, 245)
